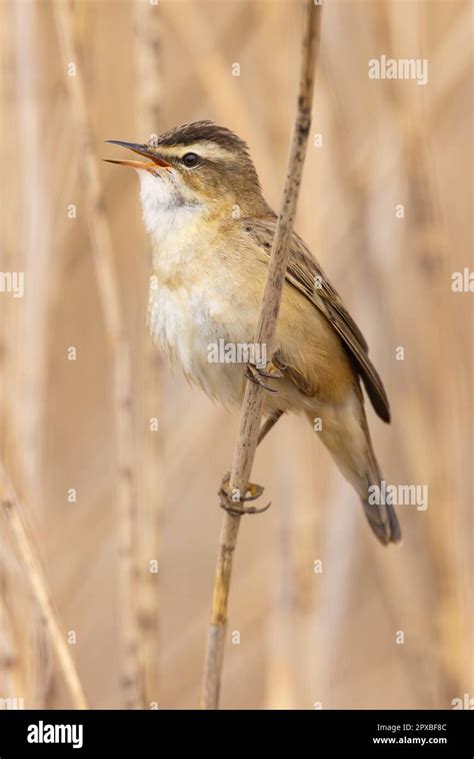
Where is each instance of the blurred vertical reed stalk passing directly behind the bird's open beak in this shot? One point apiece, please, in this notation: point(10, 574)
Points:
point(148, 55)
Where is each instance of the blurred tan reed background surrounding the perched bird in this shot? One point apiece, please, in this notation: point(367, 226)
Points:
point(72, 225)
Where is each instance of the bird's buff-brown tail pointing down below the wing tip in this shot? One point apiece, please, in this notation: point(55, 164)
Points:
point(346, 435)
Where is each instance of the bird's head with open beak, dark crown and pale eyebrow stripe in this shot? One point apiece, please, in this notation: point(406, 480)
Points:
point(198, 167)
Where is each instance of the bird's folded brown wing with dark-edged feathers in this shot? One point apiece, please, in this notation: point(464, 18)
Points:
point(305, 274)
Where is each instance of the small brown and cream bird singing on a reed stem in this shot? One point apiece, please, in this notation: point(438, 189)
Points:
point(211, 231)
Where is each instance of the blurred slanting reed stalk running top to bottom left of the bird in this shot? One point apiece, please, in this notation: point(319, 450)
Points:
point(108, 287)
